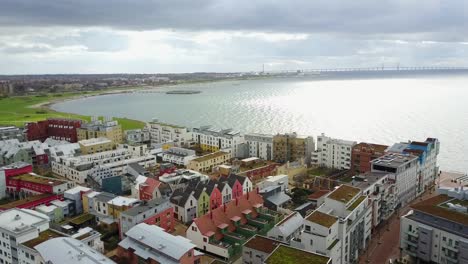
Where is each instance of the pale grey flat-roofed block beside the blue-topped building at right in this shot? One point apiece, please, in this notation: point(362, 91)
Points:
point(403, 170)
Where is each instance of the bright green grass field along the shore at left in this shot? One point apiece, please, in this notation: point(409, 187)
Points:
point(19, 110)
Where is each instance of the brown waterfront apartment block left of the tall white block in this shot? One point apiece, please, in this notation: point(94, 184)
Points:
point(292, 147)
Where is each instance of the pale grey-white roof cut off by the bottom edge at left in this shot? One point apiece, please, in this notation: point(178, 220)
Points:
point(71, 251)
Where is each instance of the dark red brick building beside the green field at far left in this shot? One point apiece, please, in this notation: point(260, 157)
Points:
point(60, 129)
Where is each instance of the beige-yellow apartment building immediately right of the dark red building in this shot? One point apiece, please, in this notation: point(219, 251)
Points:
point(106, 128)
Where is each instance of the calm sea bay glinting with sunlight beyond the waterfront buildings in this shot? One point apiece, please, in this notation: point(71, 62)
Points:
point(380, 110)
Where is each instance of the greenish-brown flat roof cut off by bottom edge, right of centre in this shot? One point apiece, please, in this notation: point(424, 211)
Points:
point(288, 255)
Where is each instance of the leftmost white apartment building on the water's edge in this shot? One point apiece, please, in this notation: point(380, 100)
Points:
point(163, 133)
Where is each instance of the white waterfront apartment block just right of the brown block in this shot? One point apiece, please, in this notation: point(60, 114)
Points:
point(333, 153)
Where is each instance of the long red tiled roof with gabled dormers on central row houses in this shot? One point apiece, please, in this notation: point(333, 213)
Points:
point(222, 216)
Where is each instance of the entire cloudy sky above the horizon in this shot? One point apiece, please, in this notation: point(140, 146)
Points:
point(149, 36)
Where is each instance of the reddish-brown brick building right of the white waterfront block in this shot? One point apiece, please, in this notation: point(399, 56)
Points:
point(362, 154)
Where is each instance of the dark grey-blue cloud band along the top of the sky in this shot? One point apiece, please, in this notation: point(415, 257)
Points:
point(363, 16)
